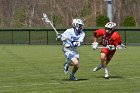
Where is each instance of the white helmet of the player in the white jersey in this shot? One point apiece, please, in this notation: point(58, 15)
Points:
point(78, 25)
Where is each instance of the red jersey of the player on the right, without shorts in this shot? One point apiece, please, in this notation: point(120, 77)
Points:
point(108, 39)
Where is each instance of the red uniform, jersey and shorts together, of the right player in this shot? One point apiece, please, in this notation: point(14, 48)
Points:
point(108, 39)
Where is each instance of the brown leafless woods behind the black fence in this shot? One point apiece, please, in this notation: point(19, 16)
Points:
point(28, 13)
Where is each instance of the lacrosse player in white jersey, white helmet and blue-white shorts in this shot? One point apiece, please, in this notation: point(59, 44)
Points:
point(72, 38)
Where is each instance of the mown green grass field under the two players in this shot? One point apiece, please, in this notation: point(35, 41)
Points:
point(39, 69)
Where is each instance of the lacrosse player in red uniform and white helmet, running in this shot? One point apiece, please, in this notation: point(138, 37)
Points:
point(110, 39)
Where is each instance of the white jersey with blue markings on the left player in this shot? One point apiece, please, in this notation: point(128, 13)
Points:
point(69, 36)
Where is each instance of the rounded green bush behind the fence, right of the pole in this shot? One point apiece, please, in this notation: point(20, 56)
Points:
point(129, 21)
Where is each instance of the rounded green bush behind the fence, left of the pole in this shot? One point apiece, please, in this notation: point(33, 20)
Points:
point(101, 20)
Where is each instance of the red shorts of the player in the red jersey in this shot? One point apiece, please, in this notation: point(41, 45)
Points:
point(109, 54)
